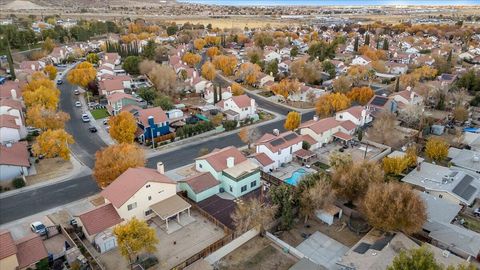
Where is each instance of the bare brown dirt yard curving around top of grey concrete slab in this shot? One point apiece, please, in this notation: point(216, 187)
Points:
point(338, 231)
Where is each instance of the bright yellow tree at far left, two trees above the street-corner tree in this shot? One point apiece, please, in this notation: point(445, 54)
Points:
point(44, 97)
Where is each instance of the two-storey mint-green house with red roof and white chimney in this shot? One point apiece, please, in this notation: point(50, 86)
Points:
point(237, 174)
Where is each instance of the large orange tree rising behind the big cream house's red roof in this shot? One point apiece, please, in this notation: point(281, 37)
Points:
point(114, 160)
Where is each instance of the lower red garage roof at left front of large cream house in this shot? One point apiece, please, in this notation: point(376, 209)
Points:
point(100, 219)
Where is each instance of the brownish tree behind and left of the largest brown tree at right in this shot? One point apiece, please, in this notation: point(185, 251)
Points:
point(352, 182)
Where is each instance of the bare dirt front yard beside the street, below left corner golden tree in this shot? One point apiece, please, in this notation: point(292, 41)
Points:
point(48, 169)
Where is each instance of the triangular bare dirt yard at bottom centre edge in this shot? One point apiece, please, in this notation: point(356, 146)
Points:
point(258, 253)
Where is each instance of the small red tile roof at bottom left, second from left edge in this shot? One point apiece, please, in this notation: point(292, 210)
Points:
point(30, 250)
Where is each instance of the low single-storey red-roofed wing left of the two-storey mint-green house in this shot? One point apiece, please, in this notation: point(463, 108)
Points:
point(200, 186)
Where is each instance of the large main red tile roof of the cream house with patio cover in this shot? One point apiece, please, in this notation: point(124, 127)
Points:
point(131, 181)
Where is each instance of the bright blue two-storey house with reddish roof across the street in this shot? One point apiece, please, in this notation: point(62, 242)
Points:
point(152, 122)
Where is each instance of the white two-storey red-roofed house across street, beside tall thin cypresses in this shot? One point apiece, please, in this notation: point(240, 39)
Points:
point(238, 107)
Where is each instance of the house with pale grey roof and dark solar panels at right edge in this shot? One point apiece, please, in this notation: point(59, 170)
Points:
point(453, 184)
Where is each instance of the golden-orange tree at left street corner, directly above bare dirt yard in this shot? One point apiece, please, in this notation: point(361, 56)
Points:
point(53, 143)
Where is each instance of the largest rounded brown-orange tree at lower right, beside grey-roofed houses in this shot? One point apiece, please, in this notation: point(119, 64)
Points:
point(394, 207)
